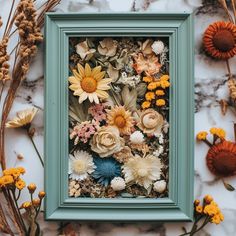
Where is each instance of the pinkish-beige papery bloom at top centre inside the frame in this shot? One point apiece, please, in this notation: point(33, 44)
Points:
point(108, 47)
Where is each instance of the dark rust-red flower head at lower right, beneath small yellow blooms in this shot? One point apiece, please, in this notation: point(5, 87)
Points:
point(221, 159)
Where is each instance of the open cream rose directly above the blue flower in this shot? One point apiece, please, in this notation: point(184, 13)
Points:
point(107, 141)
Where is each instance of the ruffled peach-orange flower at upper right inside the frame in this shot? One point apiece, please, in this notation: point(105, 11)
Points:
point(149, 65)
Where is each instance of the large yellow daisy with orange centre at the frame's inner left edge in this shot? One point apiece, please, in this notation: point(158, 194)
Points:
point(89, 83)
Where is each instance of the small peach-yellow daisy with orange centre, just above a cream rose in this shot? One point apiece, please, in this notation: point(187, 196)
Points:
point(120, 118)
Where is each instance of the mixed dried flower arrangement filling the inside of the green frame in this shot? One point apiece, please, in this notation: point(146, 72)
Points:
point(119, 104)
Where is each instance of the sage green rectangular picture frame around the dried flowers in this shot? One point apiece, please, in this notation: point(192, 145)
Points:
point(179, 29)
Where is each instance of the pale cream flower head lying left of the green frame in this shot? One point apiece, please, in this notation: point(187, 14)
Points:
point(23, 118)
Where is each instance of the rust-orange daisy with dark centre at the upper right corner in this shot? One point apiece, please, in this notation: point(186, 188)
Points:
point(220, 40)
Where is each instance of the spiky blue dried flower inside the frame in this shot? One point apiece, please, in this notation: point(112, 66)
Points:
point(106, 169)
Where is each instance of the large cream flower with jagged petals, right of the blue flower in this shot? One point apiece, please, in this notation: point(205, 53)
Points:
point(142, 170)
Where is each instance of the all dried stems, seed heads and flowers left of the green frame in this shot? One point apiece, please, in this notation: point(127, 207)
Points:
point(24, 23)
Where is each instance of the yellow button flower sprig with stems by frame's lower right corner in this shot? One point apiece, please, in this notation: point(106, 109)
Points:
point(208, 212)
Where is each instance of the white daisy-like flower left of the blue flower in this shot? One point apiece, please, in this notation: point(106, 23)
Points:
point(80, 165)
